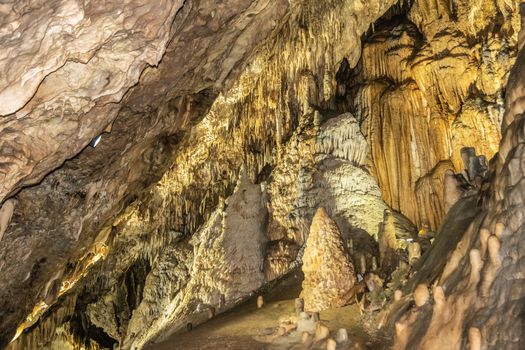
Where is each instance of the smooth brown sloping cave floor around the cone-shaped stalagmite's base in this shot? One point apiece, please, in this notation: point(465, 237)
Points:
point(237, 329)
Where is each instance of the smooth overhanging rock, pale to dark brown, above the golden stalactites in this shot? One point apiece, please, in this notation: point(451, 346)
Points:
point(196, 42)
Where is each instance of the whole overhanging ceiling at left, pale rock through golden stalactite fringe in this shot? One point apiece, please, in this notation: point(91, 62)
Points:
point(167, 63)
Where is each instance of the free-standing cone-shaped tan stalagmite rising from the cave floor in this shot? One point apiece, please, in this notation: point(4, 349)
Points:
point(329, 275)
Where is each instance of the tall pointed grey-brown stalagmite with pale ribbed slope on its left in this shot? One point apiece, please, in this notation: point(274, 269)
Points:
point(228, 259)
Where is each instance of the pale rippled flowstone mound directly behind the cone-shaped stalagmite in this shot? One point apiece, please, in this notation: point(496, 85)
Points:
point(334, 178)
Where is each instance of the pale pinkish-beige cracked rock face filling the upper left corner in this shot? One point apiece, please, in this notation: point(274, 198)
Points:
point(64, 76)
